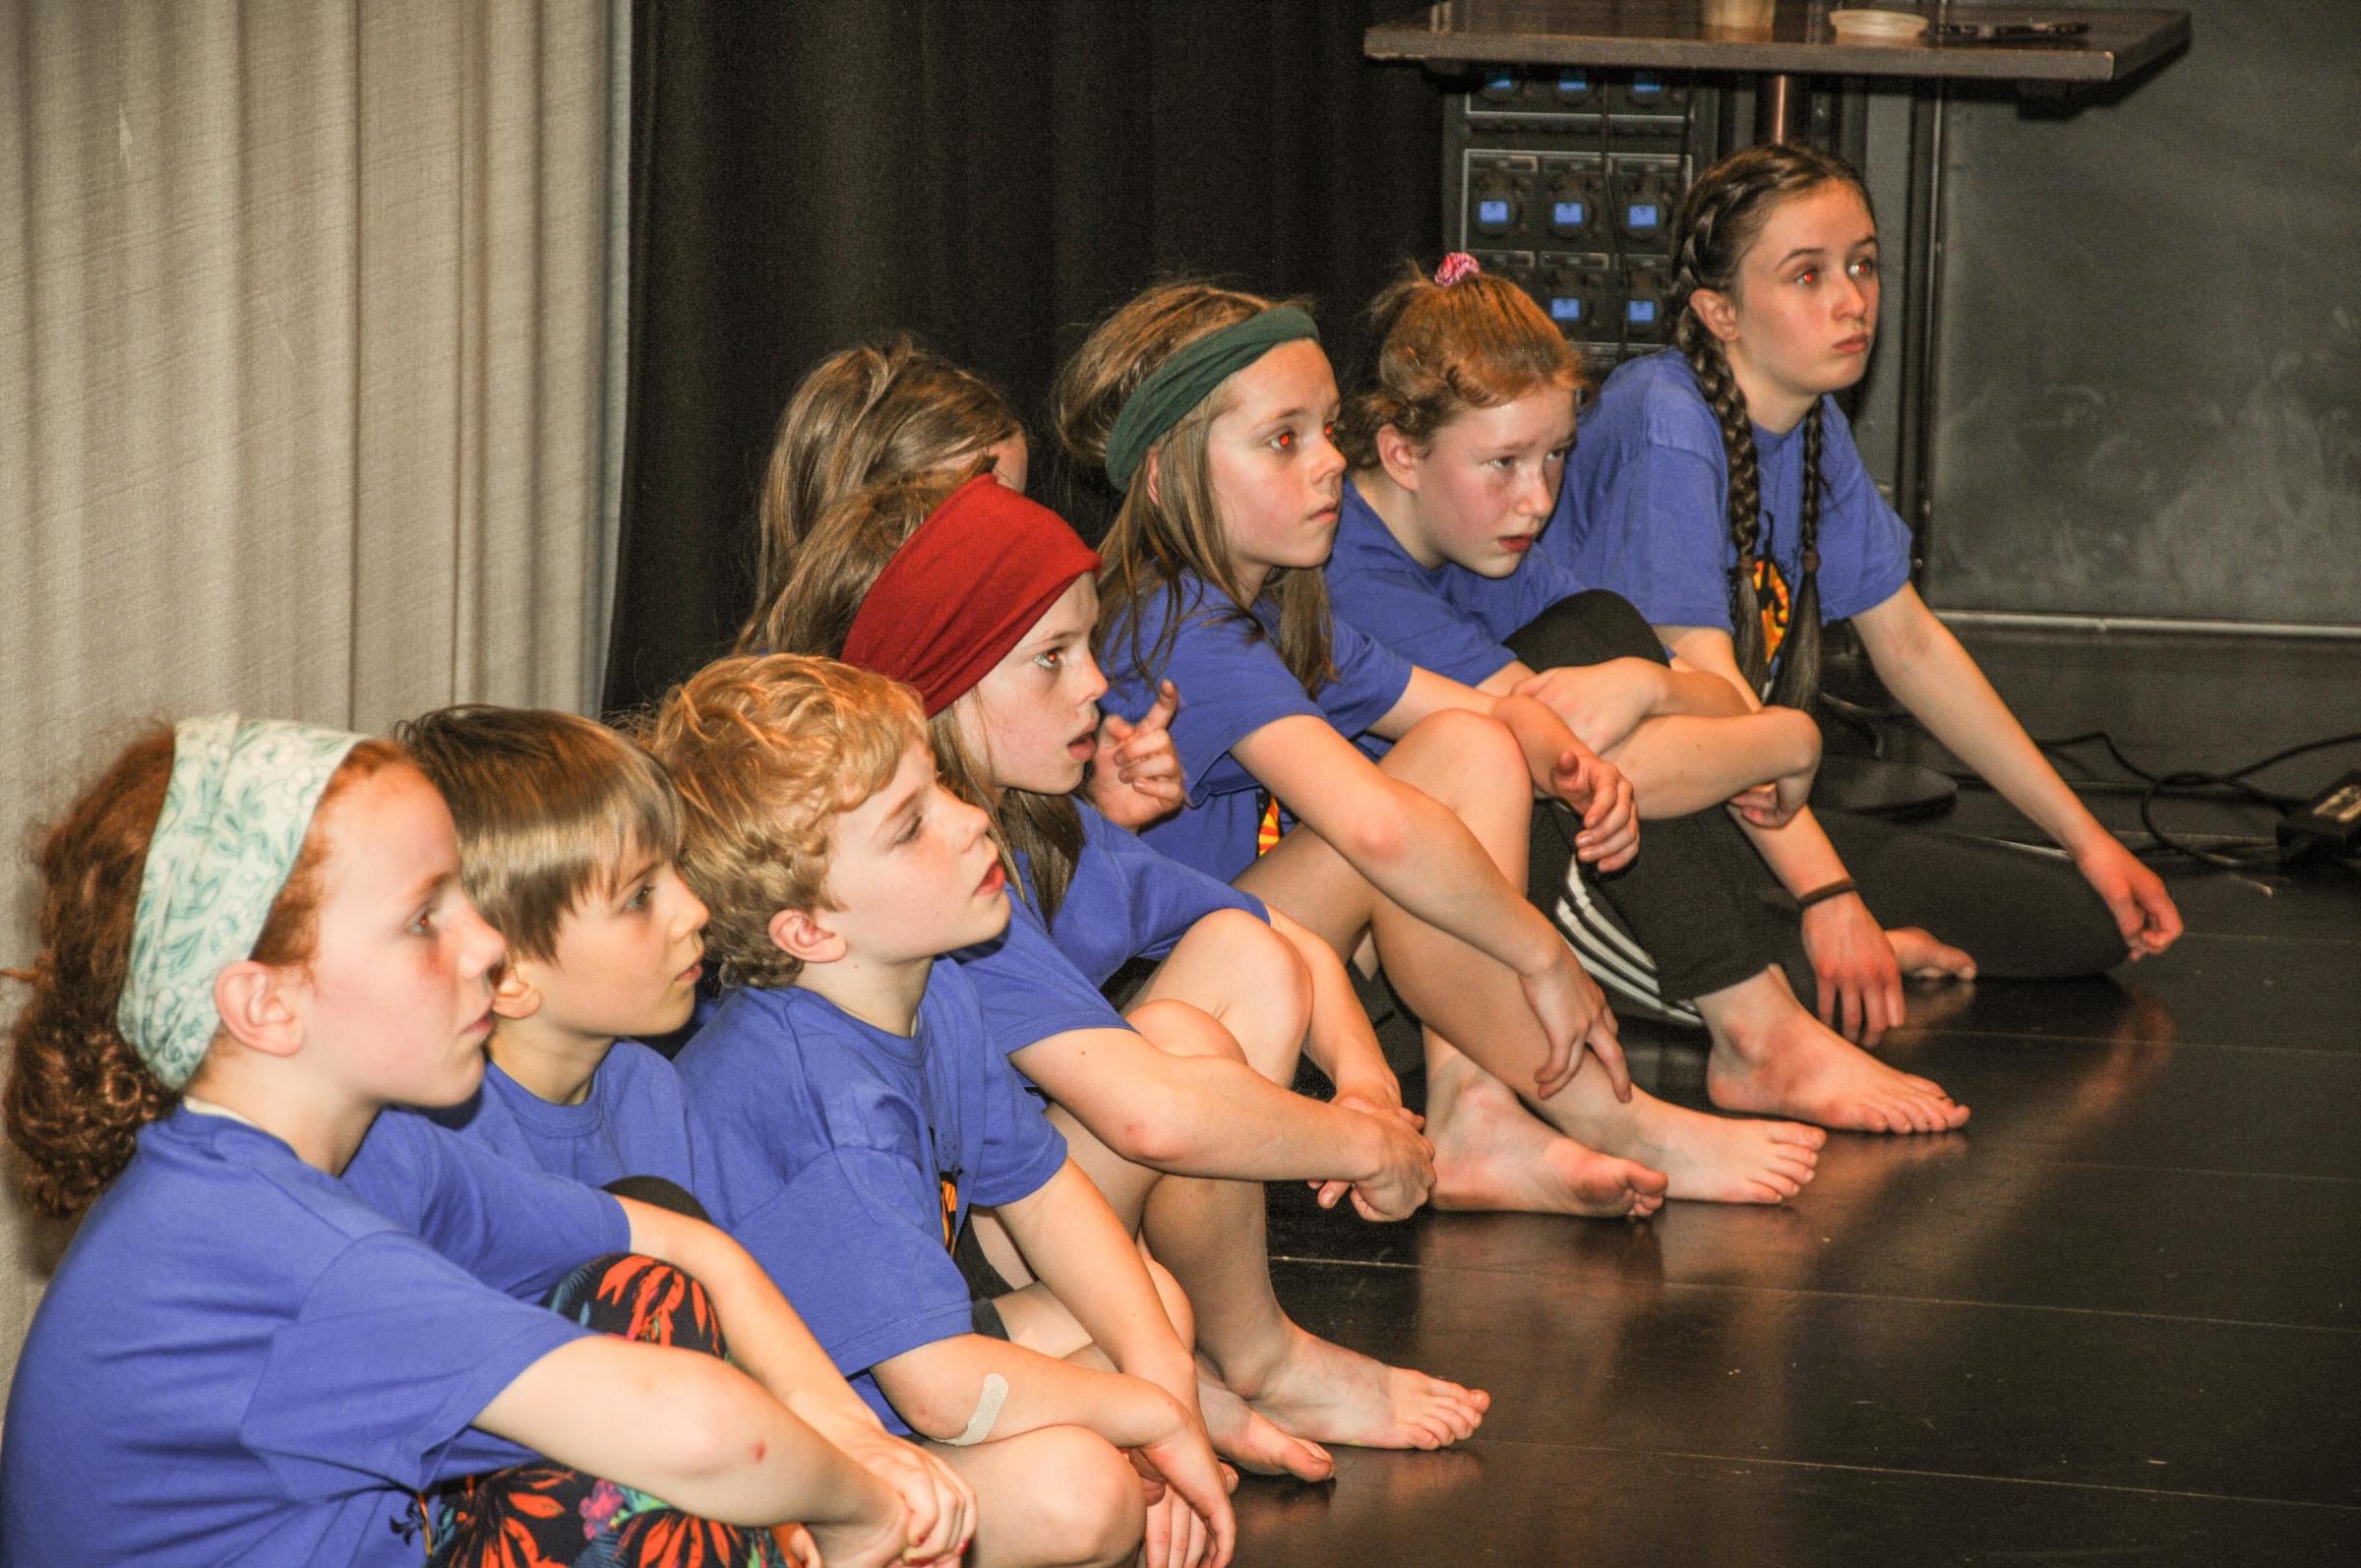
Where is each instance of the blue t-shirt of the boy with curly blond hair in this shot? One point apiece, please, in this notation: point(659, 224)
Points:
point(846, 1158)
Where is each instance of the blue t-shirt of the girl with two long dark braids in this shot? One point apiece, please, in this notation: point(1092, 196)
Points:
point(1644, 509)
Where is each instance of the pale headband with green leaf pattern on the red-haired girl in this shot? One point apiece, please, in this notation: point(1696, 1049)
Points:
point(233, 825)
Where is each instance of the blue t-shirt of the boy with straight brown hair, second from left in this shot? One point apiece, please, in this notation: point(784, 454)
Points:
point(632, 1125)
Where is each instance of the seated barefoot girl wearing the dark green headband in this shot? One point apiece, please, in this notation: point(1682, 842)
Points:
point(1210, 412)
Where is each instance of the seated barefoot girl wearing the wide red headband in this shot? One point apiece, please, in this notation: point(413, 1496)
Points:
point(986, 603)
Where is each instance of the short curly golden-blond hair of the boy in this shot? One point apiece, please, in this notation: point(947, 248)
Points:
point(769, 752)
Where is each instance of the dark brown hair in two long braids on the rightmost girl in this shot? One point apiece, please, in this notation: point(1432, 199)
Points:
point(1720, 223)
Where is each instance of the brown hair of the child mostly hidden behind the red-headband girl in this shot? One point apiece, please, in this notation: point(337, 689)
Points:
point(865, 414)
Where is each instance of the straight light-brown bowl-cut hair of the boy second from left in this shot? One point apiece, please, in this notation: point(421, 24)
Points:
point(549, 806)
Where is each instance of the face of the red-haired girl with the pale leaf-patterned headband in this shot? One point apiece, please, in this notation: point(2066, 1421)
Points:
point(400, 991)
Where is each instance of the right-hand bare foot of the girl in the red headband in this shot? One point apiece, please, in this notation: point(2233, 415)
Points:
point(1330, 1394)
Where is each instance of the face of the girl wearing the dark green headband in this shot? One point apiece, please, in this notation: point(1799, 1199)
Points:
point(1276, 473)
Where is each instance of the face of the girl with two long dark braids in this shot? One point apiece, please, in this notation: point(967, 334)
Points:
point(1807, 296)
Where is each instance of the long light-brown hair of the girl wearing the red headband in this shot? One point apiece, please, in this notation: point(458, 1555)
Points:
point(813, 615)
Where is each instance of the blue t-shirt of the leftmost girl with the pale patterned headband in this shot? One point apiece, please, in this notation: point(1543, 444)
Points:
point(249, 1361)
